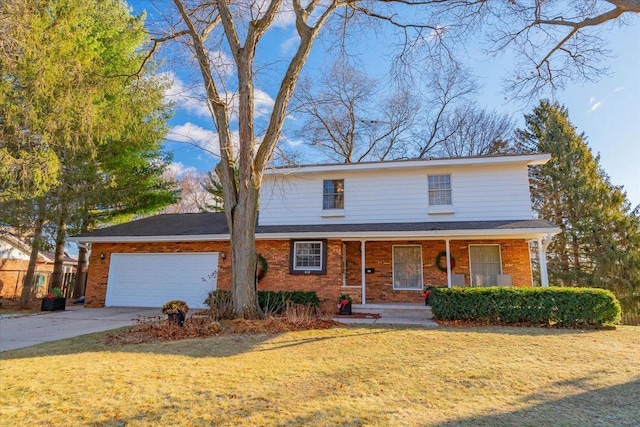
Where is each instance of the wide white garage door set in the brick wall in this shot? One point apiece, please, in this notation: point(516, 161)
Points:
point(150, 280)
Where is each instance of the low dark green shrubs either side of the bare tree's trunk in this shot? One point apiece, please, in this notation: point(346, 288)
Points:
point(270, 302)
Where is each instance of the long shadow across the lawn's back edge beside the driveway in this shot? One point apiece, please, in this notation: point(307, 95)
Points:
point(214, 346)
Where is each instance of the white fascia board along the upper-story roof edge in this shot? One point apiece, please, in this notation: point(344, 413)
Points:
point(529, 160)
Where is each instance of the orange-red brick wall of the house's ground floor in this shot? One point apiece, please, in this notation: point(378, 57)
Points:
point(379, 287)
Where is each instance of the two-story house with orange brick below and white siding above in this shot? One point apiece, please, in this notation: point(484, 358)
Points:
point(378, 231)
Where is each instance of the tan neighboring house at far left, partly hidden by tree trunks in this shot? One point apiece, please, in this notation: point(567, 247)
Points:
point(14, 261)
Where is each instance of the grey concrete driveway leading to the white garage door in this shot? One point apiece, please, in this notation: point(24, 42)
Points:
point(24, 331)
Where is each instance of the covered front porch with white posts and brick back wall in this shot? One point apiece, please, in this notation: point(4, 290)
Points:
point(384, 270)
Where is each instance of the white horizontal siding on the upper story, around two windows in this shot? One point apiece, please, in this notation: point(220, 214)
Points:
point(487, 192)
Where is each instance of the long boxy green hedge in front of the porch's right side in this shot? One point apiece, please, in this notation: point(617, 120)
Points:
point(567, 307)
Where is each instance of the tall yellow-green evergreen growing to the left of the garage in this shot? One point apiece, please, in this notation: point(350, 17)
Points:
point(68, 91)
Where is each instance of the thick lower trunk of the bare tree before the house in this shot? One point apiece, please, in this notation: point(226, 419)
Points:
point(244, 256)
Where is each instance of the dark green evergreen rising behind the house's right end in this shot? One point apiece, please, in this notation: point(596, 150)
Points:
point(599, 245)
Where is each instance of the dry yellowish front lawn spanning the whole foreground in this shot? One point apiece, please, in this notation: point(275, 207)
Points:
point(342, 376)
